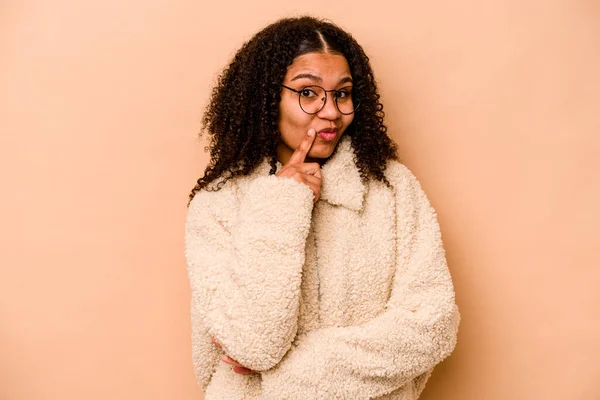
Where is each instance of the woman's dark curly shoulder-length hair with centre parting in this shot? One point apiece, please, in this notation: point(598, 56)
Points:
point(241, 117)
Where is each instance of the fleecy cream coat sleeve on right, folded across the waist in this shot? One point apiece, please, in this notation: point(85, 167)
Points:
point(417, 329)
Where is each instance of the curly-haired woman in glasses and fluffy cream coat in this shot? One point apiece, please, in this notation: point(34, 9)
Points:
point(315, 259)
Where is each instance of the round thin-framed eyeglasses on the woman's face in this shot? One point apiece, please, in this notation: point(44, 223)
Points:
point(312, 99)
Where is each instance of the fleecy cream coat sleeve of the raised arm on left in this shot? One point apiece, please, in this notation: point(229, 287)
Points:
point(245, 275)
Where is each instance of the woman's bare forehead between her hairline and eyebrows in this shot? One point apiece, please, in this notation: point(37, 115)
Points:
point(325, 66)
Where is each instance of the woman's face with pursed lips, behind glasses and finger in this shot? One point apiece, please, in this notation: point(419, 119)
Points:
point(329, 71)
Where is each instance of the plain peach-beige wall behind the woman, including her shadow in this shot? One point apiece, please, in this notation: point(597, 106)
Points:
point(495, 107)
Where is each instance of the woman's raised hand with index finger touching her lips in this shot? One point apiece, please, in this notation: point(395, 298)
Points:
point(307, 173)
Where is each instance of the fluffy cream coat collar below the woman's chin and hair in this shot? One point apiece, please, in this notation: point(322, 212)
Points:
point(342, 184)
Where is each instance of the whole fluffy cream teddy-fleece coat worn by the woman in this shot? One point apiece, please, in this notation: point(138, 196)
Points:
point(346, 298)
